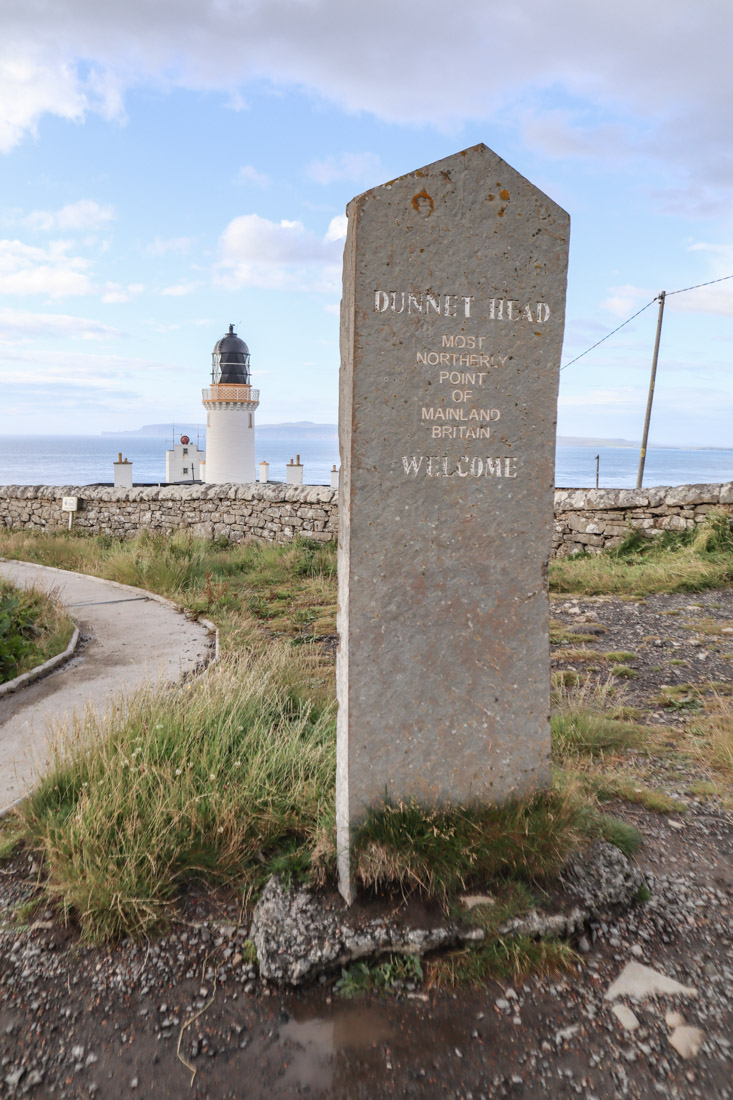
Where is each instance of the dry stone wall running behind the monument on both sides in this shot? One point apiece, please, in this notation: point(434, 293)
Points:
point(585, 520)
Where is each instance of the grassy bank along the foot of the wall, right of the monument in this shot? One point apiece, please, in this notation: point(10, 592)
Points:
point(688, 562)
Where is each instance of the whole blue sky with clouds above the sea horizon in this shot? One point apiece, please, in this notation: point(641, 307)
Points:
point(168, 169)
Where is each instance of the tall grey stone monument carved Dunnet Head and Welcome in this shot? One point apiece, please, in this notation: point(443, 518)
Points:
point(452, 331)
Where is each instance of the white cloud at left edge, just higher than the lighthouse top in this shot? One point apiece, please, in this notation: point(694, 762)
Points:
point(28, 270)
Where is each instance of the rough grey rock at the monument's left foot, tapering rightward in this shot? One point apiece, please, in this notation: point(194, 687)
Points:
point(298, 937)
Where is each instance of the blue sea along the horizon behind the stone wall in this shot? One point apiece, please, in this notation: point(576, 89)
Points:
point(87, 460)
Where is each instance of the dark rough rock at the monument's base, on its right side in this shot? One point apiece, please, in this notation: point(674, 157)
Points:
point(597, 884)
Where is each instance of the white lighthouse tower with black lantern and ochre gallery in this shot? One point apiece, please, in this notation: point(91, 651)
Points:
point(231, 403)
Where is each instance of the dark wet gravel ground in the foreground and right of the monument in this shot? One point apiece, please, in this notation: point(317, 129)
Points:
point(81, 1022)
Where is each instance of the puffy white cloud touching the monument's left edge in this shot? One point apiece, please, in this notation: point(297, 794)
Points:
point(258, 252)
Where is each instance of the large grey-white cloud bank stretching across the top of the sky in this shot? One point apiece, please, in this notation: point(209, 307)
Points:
point(659, 83)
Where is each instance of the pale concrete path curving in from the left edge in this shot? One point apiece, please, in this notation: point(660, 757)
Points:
point(129, 639)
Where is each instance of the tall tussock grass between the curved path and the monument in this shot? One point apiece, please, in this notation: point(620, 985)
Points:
point(231, 778)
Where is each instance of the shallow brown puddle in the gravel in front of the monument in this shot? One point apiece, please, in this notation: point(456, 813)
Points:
point(311, 1042)
